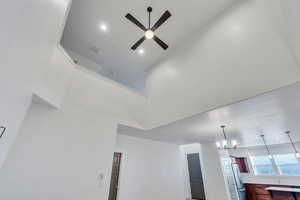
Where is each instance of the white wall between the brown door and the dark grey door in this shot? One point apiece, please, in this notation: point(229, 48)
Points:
point(149, 170)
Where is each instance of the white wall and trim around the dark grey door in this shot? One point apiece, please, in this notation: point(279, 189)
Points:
point(213, 178)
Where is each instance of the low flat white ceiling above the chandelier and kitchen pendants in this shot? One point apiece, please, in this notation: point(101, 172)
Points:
point(271, 113)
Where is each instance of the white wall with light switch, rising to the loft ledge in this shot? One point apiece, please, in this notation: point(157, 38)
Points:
point(60, 153)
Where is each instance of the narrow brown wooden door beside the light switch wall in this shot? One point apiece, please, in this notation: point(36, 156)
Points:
point(114, 182)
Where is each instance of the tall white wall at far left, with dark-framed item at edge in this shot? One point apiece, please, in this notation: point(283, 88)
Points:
point(29, 33)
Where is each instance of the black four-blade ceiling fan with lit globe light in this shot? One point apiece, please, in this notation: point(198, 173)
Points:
point(150, 31)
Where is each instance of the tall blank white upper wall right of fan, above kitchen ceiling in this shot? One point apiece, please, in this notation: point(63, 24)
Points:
point(240, 54)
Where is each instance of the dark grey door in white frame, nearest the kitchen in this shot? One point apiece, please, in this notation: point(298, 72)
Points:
point(196, 179)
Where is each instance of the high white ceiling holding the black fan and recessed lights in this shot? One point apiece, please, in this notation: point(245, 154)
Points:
point(82, 32)
